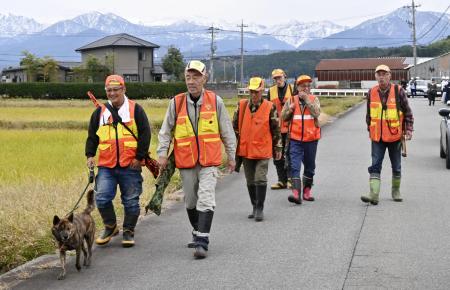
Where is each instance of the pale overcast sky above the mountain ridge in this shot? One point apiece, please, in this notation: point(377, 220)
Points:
point(266, 12)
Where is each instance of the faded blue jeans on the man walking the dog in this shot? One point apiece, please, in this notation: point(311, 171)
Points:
point(130, 184)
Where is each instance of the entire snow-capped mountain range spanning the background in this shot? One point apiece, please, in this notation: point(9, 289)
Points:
point(192, 37)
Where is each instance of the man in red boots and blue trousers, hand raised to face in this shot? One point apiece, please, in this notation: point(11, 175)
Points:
point(302, 112)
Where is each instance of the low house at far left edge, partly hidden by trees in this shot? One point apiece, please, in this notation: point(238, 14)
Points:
point(19, 74)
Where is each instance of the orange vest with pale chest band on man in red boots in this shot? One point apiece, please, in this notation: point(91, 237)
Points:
point(303, 127)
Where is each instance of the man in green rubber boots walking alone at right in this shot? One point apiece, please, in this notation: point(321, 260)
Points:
point(388, 118)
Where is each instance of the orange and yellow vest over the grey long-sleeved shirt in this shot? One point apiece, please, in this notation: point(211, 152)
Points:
point(205, 145)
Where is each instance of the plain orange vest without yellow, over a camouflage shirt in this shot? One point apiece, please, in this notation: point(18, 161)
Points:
point(255, 141)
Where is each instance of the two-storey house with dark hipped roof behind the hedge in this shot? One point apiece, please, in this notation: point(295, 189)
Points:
point(126, 55)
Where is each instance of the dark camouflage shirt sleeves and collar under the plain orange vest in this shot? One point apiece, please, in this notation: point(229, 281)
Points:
point(273, 119)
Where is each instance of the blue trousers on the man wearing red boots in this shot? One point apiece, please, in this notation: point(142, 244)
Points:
point(303, 152)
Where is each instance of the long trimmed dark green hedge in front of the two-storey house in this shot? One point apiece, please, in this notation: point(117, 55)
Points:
point(78, 90)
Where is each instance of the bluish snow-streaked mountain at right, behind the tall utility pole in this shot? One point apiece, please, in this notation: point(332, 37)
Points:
point(392, 29)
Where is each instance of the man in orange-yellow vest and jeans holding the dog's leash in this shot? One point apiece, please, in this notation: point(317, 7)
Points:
point(120, 131)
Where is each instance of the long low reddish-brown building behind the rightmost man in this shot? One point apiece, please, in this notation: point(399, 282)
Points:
point(357, 72)
